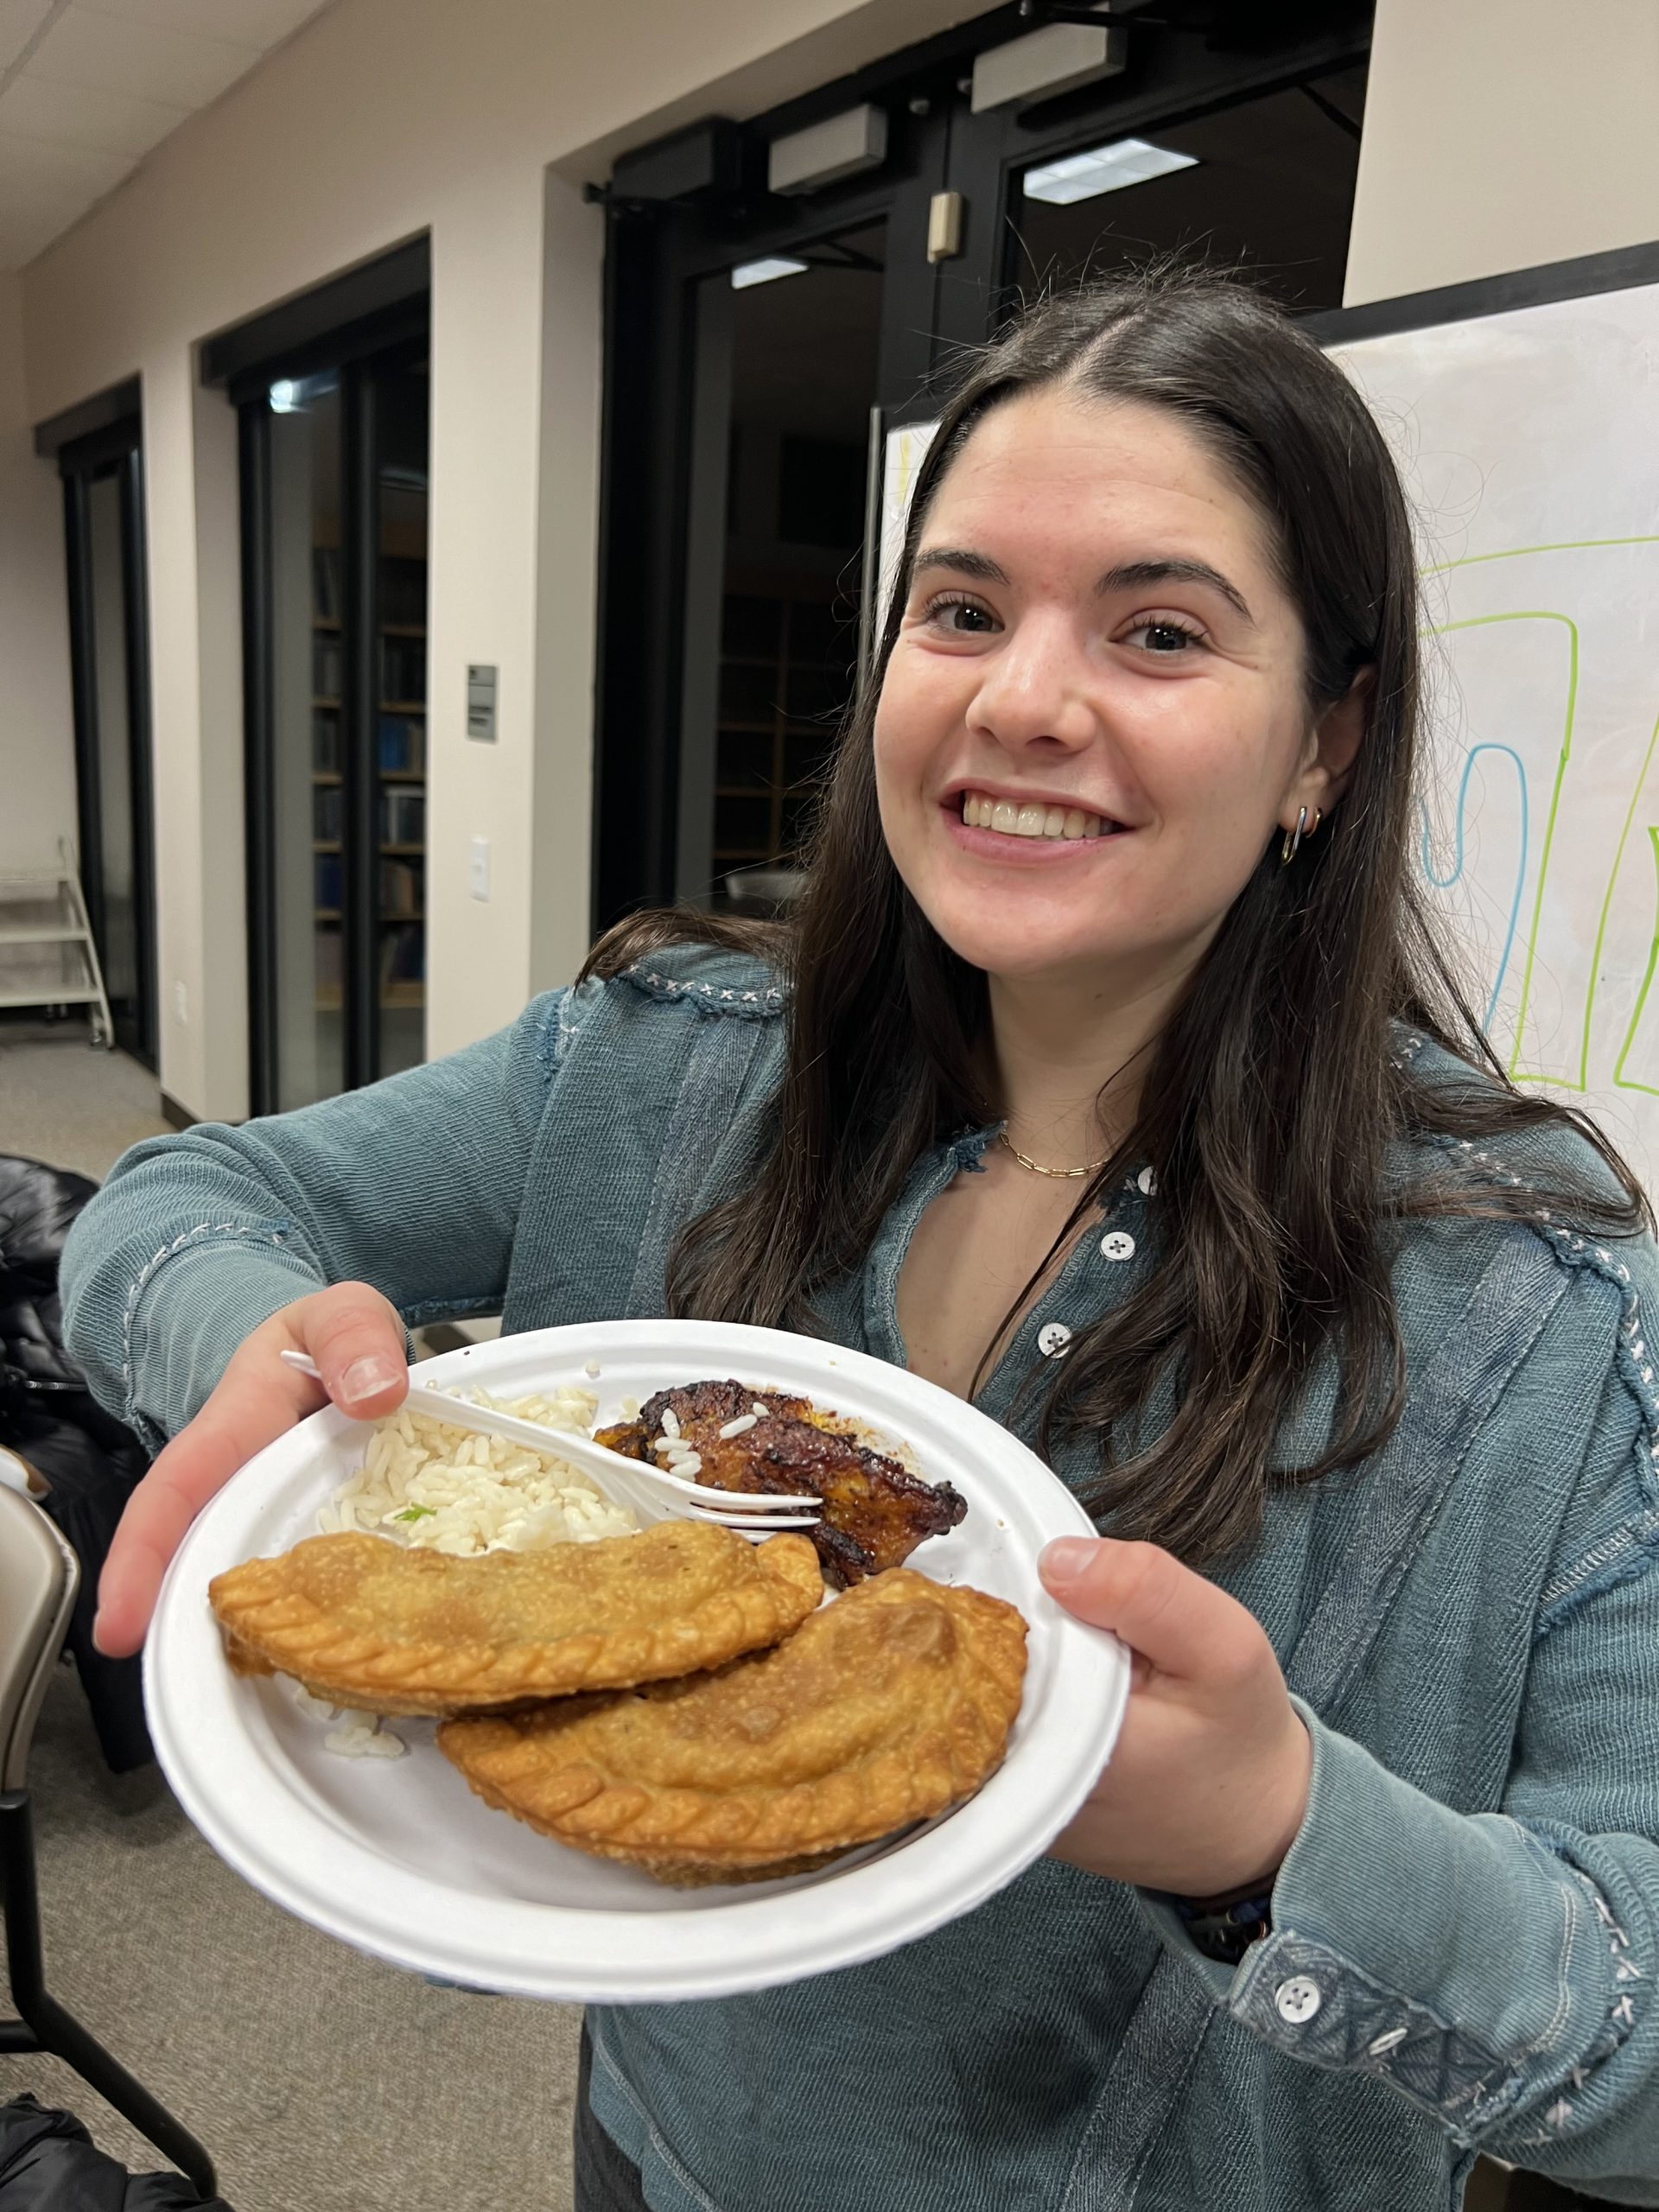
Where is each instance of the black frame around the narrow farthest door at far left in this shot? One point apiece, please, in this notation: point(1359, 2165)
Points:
point(114, 452)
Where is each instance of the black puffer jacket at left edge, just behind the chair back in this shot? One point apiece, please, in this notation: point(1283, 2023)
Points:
point(50, 1419)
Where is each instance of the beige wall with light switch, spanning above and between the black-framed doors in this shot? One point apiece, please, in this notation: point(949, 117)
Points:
point(382, 121)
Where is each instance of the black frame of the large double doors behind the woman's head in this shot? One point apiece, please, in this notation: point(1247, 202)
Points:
point(660, 253)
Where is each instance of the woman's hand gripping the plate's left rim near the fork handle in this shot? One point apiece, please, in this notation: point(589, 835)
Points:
point(357, 1342)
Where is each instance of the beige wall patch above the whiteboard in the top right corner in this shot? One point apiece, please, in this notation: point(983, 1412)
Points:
point(1503, 134)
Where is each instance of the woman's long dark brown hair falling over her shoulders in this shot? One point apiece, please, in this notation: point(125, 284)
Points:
point(1277, 1087)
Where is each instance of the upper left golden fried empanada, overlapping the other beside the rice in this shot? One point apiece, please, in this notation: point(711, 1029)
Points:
point(371, 1625)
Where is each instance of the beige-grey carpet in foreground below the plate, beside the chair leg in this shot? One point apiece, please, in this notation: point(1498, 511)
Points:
point(320, 2080)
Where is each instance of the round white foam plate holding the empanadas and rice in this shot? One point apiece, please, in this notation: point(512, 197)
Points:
point(399, 1857)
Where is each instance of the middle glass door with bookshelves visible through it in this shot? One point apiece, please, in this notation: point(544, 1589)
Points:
point(335, 620)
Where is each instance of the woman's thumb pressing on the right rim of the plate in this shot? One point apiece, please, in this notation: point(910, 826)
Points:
point(1167, 1614)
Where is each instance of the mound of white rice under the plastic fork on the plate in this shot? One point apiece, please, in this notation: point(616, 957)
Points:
point(446, 1490)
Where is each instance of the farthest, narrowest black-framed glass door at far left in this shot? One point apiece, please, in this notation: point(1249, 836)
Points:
point(109, 662)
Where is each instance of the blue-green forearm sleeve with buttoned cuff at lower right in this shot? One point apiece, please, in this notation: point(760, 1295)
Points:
point(1499, 1970)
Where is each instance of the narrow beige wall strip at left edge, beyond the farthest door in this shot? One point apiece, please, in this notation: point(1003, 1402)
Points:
point(36, 729)
